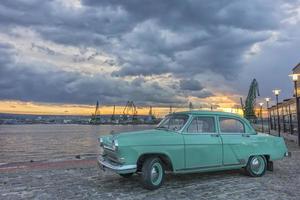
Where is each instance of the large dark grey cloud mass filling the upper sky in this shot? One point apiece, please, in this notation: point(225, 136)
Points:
point(182, 37)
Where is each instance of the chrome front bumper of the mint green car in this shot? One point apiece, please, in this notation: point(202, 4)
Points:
point(118, 168)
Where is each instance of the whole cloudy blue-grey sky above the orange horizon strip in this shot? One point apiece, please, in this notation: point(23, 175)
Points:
point(157, 53)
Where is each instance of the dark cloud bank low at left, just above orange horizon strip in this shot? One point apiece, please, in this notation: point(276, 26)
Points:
point(22, 82)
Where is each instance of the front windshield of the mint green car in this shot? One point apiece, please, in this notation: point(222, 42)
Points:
point(173, 122)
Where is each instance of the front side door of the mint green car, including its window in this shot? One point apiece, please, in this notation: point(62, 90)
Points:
point(203, 146)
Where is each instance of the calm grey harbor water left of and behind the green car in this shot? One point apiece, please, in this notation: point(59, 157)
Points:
point(40, 142)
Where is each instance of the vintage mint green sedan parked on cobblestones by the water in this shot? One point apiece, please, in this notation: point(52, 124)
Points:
point(195, 141)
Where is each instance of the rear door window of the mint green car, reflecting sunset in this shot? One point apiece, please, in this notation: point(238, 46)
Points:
point(230, 125)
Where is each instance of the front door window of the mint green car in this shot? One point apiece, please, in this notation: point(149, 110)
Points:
point(202, 125)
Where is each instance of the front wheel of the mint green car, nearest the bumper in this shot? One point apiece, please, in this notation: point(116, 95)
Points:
point(153, 173)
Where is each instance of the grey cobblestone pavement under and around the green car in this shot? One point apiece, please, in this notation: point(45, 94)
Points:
point(87, 182)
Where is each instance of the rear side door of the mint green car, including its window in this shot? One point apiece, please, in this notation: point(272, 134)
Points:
point(237, 143)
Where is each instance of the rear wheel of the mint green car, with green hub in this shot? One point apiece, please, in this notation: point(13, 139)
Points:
point(256, 166)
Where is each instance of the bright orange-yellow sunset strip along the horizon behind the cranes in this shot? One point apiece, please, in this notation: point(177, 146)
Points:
point(20, 107)
